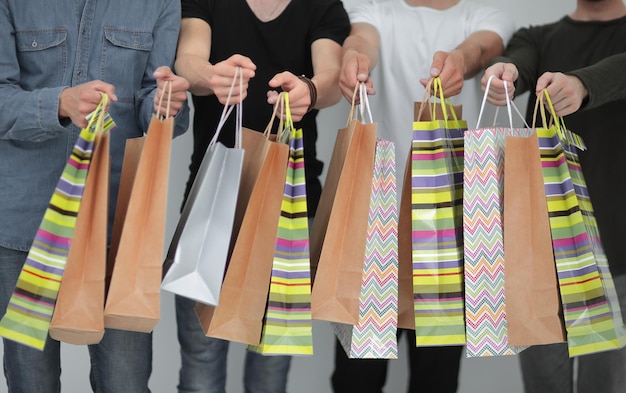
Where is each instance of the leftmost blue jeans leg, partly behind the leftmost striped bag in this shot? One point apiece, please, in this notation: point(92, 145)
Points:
point(26, 369)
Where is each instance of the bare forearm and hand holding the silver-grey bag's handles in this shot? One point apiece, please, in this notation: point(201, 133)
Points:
point(192, 63)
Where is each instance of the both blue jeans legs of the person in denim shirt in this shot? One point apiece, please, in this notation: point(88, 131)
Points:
point(121, 362)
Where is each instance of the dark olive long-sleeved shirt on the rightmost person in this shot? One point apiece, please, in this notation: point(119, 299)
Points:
point(595, 52)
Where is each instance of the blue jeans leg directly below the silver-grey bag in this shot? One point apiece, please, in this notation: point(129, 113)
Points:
point(203, 359)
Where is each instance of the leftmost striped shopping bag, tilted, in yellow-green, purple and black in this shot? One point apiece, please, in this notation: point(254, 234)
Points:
point(29, 312)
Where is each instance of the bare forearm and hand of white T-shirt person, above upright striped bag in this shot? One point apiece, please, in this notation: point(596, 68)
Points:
point(465, 61)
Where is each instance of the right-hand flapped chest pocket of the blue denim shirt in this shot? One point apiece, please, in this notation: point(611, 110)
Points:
point(124, 59)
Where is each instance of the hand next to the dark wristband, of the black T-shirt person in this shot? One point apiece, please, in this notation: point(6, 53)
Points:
point(299, 94)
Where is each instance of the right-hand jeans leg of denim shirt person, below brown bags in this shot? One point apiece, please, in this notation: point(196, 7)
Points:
point(121, 362)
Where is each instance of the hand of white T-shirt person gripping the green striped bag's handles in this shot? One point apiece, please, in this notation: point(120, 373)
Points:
point(450, 68)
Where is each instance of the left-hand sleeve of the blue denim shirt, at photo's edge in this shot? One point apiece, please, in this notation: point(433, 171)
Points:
point(26, 115)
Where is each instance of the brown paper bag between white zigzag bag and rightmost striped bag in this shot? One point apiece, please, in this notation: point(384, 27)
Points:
point(531, 291)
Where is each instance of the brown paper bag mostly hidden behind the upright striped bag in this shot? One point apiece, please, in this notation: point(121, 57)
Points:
point(406, 314)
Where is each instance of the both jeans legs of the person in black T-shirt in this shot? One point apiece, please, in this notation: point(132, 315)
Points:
point(203, 360)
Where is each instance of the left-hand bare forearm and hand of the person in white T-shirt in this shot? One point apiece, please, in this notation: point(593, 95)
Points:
point(359, 56)
